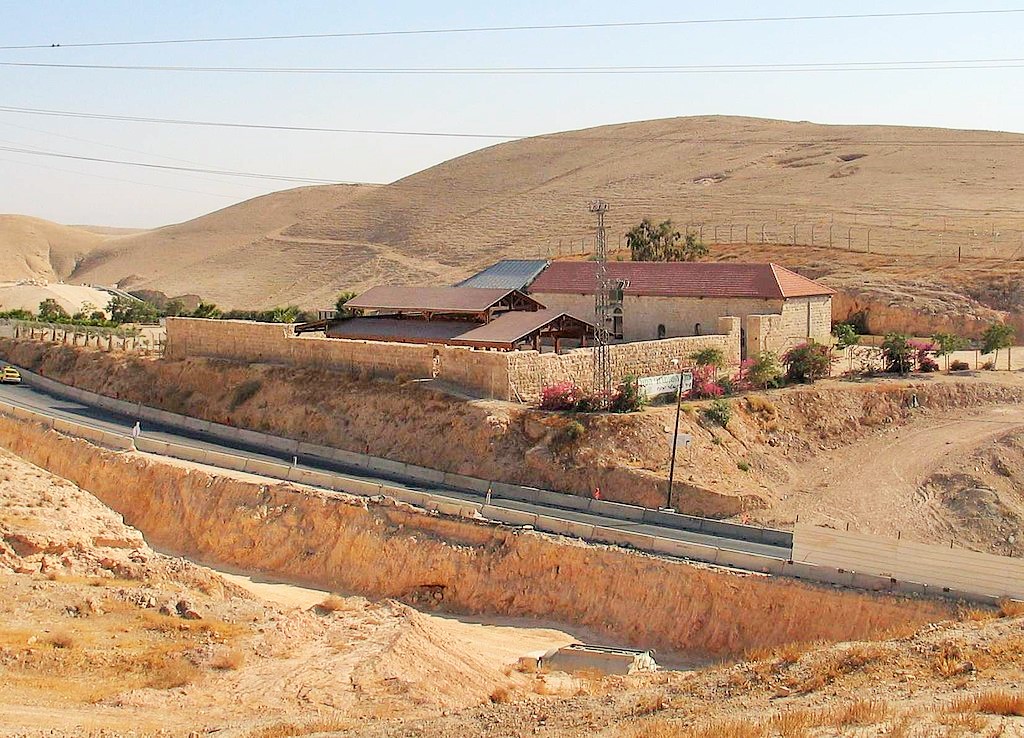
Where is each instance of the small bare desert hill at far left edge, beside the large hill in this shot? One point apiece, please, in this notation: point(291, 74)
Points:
point(37, 249)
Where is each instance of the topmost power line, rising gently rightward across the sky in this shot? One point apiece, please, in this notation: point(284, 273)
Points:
point(531, 28)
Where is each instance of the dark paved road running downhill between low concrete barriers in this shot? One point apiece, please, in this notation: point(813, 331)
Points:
point(68, 410)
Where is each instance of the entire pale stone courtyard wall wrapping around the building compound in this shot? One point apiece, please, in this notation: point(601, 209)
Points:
point(501, 375)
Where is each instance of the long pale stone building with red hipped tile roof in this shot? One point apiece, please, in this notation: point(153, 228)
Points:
point(778, 309)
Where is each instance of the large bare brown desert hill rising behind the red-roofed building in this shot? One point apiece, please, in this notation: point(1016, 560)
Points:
point(919, 191)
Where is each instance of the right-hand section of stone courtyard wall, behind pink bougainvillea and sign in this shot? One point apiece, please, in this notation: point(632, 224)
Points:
point(531, 372)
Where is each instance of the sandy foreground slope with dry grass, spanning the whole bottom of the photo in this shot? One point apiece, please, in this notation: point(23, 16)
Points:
point(97, 640)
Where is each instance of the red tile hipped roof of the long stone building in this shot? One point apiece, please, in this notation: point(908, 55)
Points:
point(681, 279)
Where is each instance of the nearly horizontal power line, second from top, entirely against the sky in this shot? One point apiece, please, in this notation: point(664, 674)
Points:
point(998, 64)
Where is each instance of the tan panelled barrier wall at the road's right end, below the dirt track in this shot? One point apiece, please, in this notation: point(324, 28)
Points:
point(934, 567)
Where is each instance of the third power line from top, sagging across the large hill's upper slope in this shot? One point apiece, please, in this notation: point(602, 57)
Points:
point(508, 137)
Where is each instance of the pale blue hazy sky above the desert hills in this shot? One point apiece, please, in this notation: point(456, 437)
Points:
point(76, 192)
